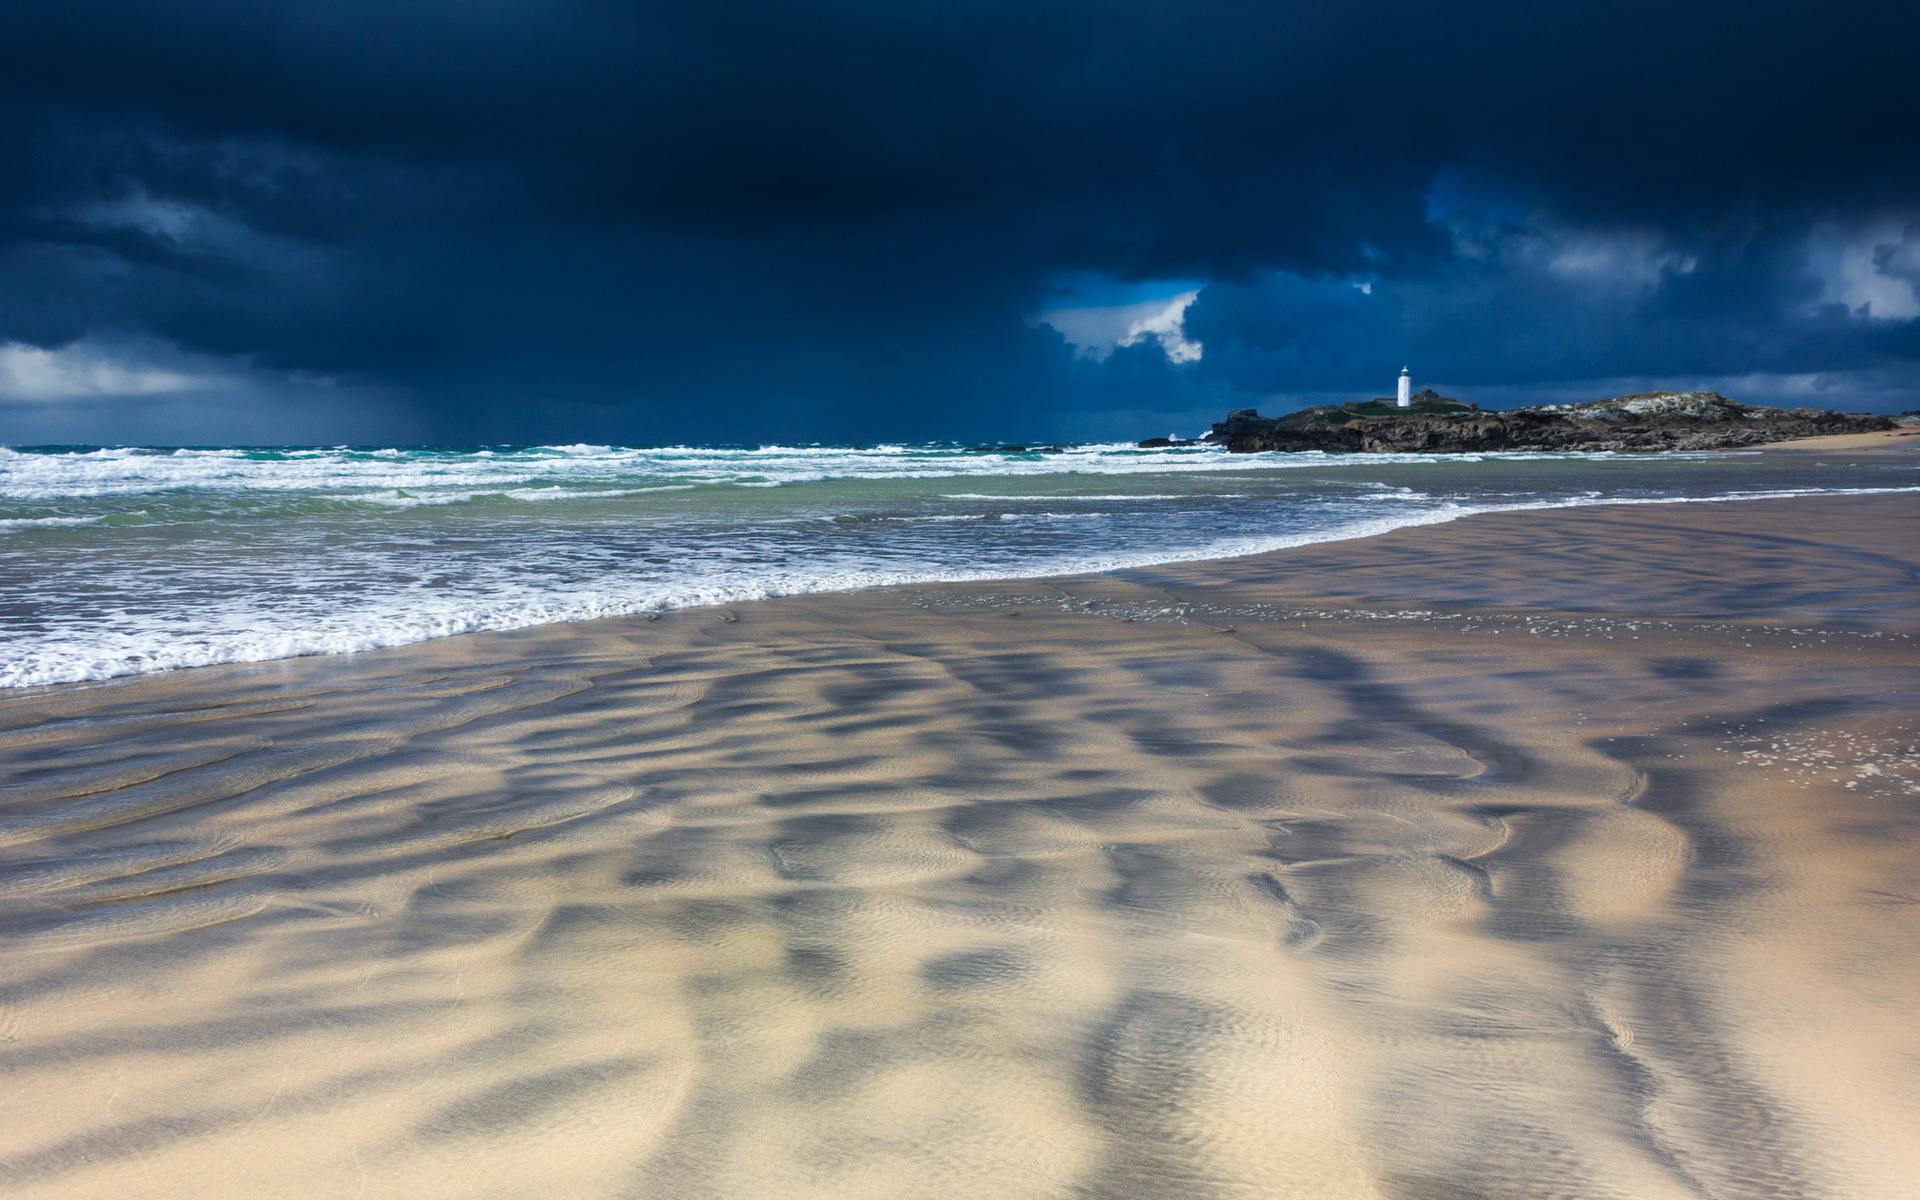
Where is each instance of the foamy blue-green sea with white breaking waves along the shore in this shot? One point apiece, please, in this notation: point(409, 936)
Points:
point(132, 560)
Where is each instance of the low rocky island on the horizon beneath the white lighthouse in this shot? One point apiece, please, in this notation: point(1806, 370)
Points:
point(1439, 423)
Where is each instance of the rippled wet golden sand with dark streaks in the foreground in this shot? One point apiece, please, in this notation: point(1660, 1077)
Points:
point(1535, 855)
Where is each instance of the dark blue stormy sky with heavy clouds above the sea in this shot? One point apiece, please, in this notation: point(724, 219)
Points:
point(750, 222)
